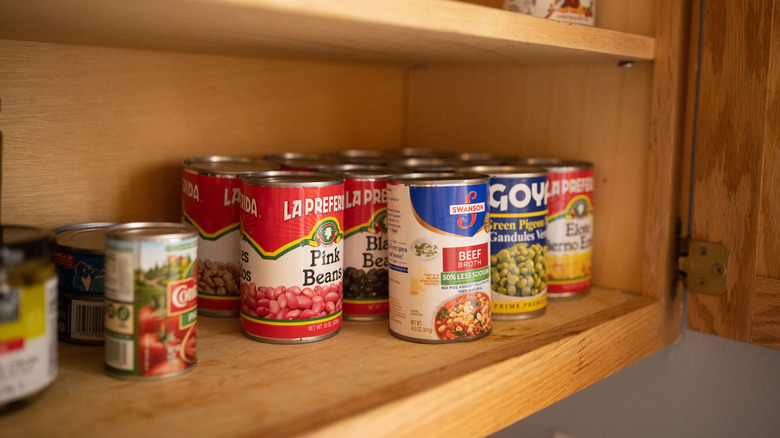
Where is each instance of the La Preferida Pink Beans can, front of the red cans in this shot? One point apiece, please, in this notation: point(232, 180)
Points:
point(292, 256)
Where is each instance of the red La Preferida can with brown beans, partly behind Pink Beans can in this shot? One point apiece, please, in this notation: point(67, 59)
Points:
point(210, 202)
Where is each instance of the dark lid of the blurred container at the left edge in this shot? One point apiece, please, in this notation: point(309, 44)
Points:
point(20, 242)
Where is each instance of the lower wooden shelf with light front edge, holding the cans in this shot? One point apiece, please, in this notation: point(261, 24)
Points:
point(362, 379)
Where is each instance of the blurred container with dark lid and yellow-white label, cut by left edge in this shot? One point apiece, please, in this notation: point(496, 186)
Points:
point(28, 314)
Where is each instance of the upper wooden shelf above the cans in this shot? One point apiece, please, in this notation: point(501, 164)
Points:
point(406, 31)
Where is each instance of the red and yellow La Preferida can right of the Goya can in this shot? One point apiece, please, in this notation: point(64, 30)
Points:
point(569, 226)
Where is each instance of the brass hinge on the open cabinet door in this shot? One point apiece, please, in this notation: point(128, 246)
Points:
point(703, 266)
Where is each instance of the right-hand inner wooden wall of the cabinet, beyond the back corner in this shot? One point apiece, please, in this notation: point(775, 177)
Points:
point(597, 113)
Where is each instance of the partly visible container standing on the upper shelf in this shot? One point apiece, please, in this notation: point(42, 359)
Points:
point(570, 11)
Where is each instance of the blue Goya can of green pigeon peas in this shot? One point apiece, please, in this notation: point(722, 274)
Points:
point(518, 243)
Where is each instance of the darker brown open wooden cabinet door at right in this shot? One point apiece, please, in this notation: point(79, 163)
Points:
point(736, 195)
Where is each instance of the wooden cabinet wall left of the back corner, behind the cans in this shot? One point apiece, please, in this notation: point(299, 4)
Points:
point(99, 134)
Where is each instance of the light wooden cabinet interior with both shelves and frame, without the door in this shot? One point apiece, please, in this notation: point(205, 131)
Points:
point(100, 103)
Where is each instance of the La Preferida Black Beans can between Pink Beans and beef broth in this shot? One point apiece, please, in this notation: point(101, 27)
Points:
point(365, 244)
